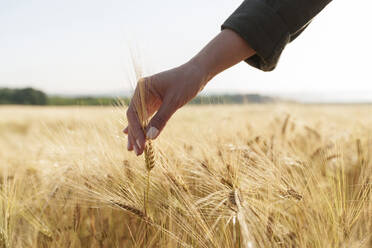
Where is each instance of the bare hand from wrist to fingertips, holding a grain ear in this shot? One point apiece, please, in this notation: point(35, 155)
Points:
point(165, 93)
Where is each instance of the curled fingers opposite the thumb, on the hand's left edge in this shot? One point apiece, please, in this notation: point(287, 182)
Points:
point(136, 136)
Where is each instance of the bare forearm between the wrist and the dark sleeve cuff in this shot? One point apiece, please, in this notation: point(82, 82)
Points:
point(224, 51)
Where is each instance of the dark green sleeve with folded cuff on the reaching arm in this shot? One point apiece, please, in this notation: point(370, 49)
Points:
point(269, 25)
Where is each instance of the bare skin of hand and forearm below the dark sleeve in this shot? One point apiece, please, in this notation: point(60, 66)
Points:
point(170, 90)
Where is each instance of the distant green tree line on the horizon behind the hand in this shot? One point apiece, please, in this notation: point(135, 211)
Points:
point(30, 96)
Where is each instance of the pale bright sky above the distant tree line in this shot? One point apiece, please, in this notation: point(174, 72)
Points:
point(81, 47)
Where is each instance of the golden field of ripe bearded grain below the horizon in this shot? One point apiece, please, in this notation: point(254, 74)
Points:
point(225, 176)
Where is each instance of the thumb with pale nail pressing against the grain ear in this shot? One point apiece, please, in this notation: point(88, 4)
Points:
point(159, 120)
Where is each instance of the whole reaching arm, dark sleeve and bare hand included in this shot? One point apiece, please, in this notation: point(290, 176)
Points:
point(256, 32)
